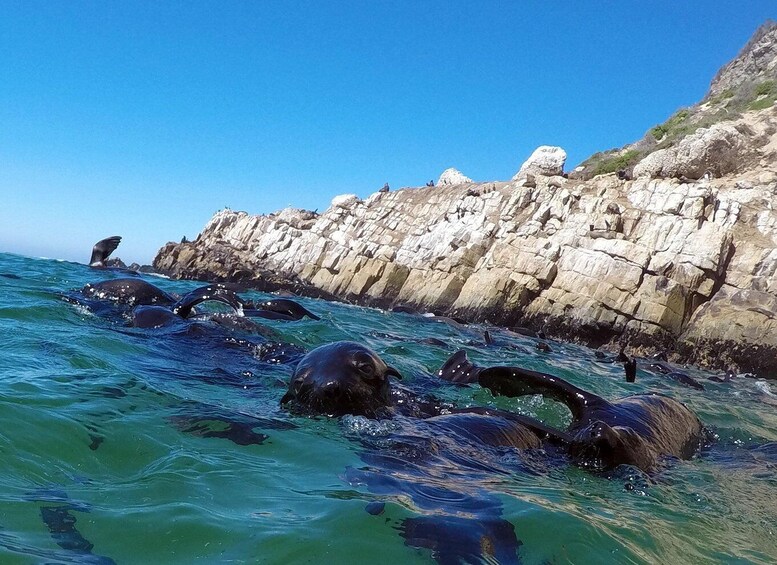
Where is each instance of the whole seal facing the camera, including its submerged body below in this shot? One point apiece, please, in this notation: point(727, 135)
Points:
point(420, 458)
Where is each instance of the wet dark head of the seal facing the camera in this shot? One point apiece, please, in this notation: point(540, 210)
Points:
point(341, 378)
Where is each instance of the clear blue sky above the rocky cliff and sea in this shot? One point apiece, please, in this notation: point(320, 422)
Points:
point(141, 119)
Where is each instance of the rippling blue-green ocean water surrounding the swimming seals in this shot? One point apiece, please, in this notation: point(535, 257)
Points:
point(166, 446)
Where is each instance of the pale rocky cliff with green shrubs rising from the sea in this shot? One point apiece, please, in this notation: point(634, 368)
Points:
point(668, 244)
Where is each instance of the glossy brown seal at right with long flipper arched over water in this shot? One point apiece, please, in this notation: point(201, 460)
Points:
point(637, 430)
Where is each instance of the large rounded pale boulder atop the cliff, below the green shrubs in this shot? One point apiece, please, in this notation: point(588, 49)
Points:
point(719, 149)
